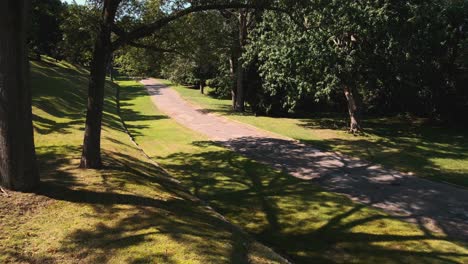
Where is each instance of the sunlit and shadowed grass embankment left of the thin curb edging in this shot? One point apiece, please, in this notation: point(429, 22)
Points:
point(128, 212)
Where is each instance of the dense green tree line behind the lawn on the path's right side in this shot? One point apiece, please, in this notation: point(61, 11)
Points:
point(362, 57)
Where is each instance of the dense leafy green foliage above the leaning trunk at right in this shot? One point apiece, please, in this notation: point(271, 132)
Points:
point(398, 56)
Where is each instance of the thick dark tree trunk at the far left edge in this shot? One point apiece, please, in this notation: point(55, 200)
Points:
point(18, 168)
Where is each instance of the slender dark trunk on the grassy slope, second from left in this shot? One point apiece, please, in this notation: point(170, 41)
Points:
point(91, 155)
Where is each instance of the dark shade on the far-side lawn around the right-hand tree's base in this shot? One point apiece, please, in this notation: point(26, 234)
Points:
point(416, 147)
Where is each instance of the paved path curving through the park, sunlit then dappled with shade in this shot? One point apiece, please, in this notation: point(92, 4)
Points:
point(434, 206)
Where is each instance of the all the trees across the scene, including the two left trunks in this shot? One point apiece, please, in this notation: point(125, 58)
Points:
point(271, 57)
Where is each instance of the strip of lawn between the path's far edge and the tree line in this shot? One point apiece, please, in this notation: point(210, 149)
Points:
point(429, 151)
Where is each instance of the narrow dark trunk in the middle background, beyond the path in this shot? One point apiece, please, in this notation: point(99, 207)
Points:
point(240, 96)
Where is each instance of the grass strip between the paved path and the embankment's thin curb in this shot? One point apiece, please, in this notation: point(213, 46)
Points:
point(295, 217)
